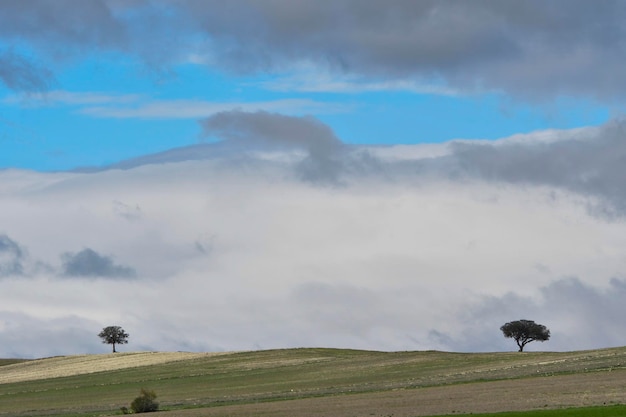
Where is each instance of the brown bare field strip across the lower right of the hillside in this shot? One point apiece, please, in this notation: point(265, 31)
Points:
point(594, 388)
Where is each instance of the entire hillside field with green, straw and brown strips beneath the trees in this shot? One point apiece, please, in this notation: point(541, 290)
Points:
point(316, 382)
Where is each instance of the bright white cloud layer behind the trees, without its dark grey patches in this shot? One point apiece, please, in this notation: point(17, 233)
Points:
point(373, 263)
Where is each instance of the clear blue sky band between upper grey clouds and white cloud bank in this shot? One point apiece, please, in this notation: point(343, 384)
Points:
point(102, 112)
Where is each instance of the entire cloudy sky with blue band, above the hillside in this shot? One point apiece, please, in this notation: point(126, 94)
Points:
point(386, 175)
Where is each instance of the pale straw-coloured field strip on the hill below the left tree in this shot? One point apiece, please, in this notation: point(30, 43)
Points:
point(86, 364)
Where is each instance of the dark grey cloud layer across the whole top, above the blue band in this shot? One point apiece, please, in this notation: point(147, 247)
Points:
point(532, 49)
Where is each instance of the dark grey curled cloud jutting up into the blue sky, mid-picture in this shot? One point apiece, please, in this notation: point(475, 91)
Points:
point(279, 131)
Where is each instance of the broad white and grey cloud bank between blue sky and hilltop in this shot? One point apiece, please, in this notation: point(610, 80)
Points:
point(223, 247)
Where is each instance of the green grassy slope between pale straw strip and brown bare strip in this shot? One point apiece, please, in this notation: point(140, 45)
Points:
point(210, 381)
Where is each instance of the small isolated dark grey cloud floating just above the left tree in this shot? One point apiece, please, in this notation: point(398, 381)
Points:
point(90, 264)
